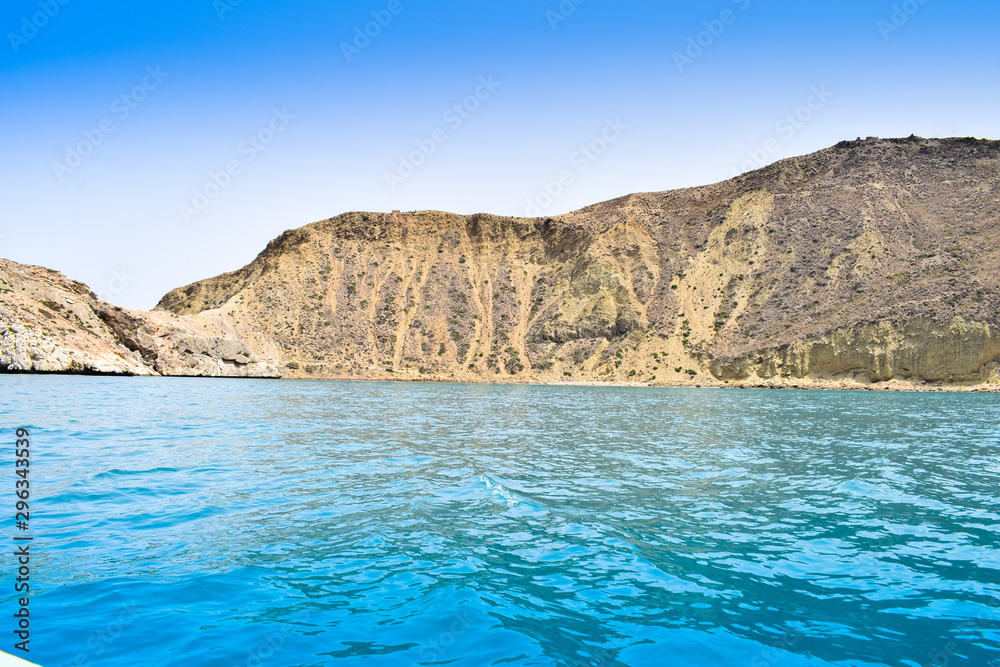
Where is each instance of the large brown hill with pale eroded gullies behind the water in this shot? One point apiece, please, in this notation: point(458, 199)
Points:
point(872, 260)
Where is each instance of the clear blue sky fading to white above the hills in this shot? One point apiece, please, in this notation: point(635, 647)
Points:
point(149, 145)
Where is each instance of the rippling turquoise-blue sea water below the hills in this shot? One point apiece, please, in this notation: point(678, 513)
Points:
point(252, 523)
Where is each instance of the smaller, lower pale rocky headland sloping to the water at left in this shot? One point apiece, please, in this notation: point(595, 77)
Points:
point(51, 324)
